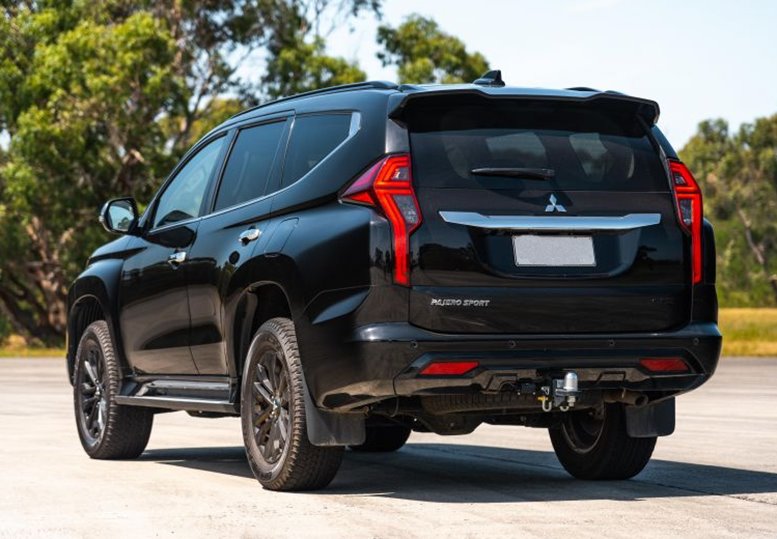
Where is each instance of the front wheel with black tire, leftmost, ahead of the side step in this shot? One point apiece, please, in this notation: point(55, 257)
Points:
point(106, 430)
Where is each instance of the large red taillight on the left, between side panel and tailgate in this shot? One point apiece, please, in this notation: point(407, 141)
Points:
point(388, 185)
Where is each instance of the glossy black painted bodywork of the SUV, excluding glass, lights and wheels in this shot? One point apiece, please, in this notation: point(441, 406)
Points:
point(327, 265)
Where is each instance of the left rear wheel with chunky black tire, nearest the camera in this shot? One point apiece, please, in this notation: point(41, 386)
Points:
point(273, 415)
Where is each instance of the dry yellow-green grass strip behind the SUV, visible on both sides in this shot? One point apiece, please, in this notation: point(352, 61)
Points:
point(746, 332)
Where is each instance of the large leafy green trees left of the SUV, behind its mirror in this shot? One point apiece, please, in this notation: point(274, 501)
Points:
point(101, 98)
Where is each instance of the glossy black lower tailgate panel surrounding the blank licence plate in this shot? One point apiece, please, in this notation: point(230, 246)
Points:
point(640, 282)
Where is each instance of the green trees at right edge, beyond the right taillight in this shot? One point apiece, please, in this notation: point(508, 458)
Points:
point(738, 173)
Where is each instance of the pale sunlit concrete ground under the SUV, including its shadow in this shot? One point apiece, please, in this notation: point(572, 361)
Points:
point(715, 477)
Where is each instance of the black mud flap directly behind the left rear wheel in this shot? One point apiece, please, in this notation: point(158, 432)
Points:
point(329, 429)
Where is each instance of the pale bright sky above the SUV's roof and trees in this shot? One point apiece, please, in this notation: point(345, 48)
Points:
point(697, 59)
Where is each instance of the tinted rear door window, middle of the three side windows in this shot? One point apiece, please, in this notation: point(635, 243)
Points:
point(249, 165)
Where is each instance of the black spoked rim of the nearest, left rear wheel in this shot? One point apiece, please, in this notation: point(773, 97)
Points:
point(271, 418)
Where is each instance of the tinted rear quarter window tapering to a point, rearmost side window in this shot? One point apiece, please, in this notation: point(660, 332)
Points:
point(312, 139)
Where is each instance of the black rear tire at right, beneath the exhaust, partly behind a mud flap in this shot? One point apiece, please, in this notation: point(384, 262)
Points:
point(592, 445)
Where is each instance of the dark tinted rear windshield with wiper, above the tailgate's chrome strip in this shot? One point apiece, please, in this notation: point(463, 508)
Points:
point(577, 146)
